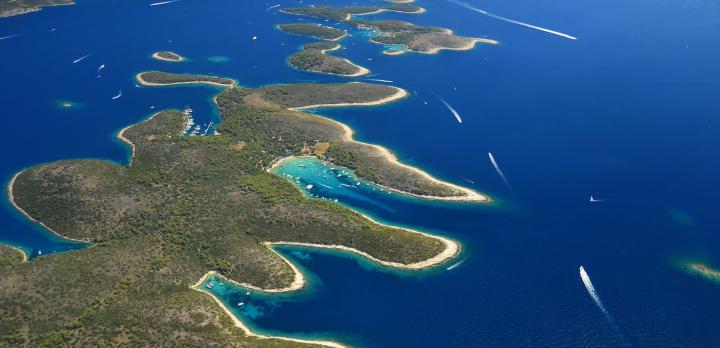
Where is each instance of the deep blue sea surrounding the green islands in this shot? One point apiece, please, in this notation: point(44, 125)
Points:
point(627, 113)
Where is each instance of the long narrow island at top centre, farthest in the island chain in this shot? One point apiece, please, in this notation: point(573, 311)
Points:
point(346, 13)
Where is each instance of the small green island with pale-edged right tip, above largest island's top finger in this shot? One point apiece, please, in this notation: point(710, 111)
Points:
point(313, 57)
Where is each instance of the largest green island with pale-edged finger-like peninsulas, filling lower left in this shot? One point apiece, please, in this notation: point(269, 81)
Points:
point(186, 208)
